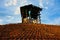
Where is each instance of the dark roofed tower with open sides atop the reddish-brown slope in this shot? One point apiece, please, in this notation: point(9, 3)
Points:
point(30, 14)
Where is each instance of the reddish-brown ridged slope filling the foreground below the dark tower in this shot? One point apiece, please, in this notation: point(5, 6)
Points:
point(29, 32)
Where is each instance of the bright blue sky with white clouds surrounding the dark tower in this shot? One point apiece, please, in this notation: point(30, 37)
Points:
point(10, 10)
